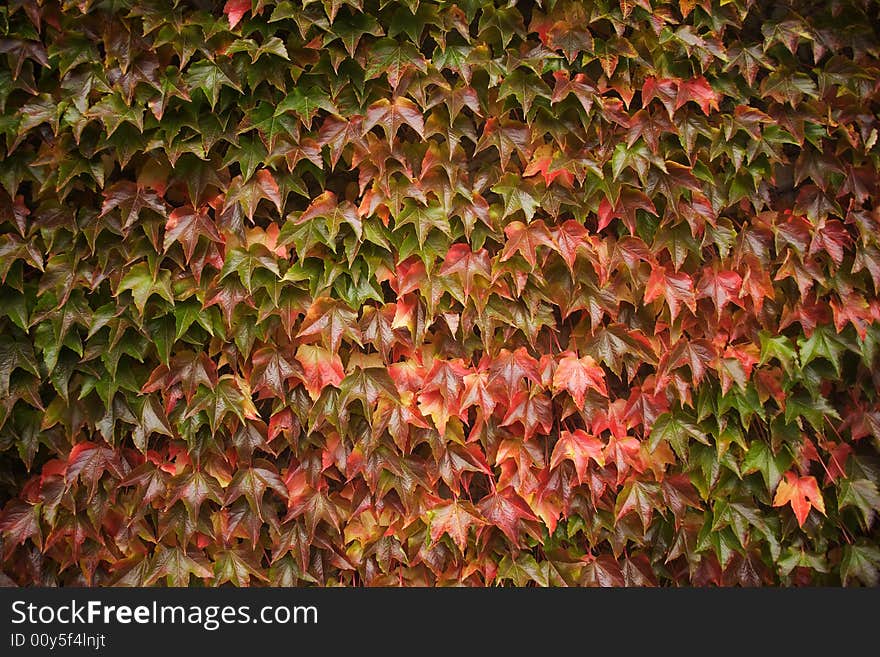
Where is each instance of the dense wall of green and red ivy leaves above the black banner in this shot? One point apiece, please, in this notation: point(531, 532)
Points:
point(395, 292)
